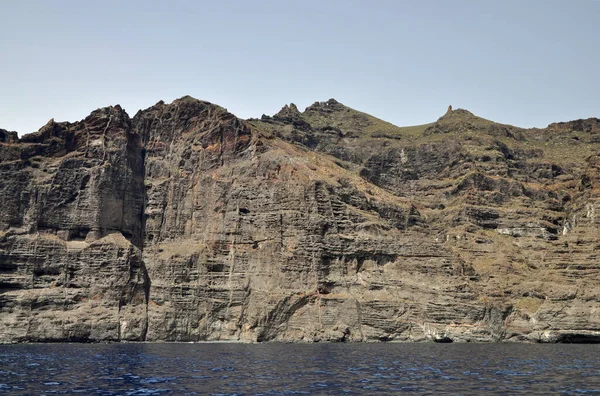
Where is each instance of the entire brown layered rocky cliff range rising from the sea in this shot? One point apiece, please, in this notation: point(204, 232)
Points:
point(185, 223)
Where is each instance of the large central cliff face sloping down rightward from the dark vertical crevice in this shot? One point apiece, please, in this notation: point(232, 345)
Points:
point(251, 238)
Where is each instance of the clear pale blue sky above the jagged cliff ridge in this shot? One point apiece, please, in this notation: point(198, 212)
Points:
point(522, 62)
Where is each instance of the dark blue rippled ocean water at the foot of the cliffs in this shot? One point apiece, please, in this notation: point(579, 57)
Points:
point(299, 369)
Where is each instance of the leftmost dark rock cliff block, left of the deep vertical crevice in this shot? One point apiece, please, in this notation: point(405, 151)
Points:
point(71, 231)
